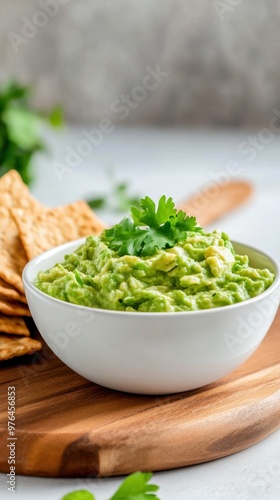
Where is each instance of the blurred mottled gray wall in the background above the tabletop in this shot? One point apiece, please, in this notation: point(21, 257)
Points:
point(222, 57)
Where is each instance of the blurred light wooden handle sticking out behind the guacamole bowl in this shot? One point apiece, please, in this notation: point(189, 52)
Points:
point(216, 200)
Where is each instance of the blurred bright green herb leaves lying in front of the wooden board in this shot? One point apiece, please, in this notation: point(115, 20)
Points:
point(134, 487)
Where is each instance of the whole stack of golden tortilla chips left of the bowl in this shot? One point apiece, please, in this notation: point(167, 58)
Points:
point(28, 228)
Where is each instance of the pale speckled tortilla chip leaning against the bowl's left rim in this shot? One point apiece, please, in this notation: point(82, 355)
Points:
point(43, 229)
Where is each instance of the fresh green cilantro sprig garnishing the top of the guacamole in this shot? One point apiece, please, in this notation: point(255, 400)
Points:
point(150, 229)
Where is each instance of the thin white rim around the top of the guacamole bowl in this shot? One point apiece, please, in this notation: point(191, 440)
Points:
point(215, 310)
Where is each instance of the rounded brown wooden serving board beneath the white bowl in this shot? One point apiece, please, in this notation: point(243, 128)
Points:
point(67, 426)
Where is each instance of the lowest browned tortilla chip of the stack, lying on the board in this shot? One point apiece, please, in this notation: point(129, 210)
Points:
point(17, 346)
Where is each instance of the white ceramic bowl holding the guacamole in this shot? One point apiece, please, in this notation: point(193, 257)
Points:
point(151, 353)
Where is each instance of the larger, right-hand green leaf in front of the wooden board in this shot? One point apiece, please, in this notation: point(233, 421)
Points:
point(135, 487)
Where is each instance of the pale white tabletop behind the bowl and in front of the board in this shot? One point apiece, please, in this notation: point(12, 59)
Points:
point(177, 162)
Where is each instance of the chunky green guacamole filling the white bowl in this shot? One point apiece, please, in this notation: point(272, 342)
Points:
point(202, 272)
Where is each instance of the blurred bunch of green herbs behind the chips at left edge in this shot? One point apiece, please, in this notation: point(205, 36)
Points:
point(20, 129)
